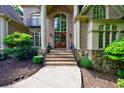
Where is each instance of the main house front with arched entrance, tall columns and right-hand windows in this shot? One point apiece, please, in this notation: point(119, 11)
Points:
point(90, 27)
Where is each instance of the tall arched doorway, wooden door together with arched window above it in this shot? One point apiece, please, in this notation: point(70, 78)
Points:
point(60, 29)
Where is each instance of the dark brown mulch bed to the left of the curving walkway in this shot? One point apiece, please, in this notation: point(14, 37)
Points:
point(12, 71)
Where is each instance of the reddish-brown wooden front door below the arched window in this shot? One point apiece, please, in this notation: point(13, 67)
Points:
point(60, 40)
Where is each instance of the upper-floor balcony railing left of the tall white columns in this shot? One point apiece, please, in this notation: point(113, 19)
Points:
point(33, 22)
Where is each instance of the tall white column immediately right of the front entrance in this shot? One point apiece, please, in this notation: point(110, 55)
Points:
point(75, 25)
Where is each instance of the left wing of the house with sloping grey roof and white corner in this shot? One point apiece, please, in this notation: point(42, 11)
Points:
point(10, 21)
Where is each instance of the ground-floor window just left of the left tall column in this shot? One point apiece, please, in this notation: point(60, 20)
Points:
point(36, 39)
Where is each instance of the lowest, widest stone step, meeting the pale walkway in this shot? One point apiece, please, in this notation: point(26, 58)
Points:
point(61, 63)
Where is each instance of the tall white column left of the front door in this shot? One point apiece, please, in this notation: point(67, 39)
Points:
point(43, 25)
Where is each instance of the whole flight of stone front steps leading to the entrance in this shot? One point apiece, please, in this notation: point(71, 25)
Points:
point(60, 57)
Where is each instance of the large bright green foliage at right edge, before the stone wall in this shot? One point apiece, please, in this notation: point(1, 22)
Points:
point(115, 51)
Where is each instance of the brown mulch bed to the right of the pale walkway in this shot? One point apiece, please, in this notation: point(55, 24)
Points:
point(97, 79)
